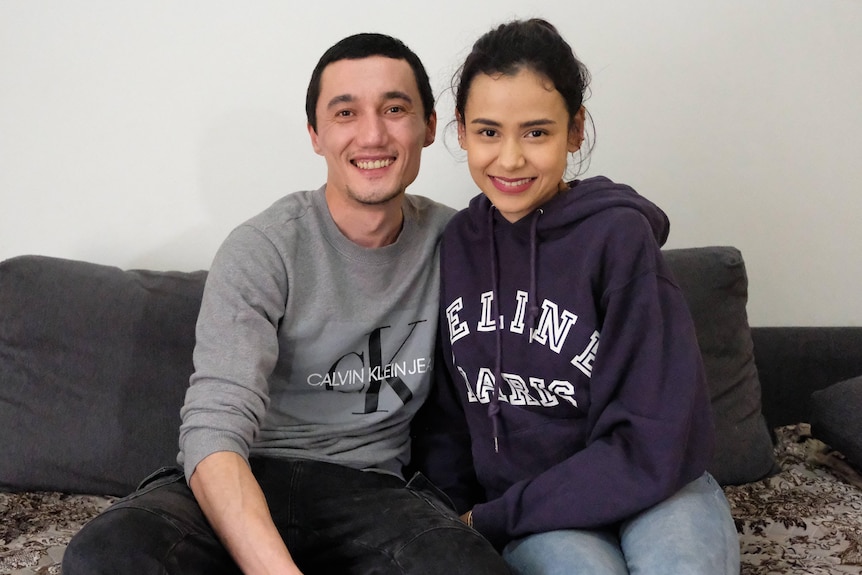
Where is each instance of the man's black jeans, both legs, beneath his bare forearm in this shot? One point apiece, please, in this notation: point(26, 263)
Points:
point(333, 519)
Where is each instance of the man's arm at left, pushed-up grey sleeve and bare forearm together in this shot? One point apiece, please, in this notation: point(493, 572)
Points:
point(235, 352)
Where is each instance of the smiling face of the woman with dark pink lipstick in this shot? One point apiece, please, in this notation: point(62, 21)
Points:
point(517, 134)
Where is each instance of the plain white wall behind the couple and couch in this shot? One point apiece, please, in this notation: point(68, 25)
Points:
point(138, 134)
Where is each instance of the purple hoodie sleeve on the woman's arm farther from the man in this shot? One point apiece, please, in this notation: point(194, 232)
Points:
point(649, 420)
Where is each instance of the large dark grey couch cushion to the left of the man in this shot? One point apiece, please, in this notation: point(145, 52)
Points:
point(94, 364)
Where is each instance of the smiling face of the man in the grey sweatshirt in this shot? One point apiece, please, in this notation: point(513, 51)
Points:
point(370, 128)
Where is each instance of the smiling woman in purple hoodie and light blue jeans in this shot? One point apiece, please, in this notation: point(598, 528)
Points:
point(571, 355)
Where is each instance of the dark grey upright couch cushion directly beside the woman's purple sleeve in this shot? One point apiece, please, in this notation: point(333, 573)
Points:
point(715, 285)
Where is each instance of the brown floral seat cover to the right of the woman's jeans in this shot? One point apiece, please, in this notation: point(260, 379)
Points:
point(806, 520)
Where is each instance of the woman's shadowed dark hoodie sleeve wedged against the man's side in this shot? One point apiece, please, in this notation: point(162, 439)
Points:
point(441, 448)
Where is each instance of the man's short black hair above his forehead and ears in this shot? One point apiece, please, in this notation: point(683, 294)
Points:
point(366, 45)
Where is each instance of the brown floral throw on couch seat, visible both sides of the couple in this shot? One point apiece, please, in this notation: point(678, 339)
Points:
point(807, 520)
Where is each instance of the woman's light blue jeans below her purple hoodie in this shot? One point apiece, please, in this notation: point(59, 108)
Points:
point(692, 532)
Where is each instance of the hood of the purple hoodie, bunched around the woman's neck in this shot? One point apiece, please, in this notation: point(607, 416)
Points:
point(581, 200)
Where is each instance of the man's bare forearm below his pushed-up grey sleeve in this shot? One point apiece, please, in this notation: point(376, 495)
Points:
point(232, 500)
